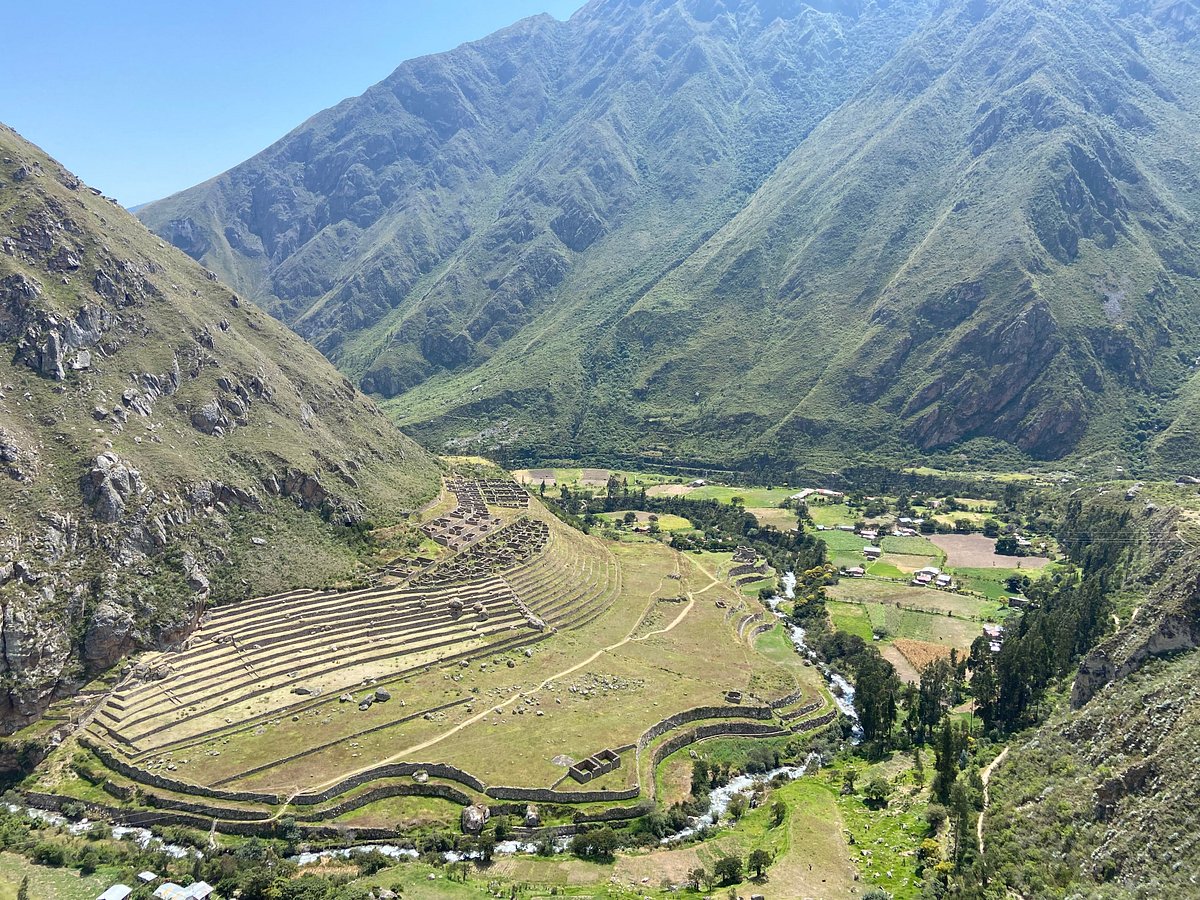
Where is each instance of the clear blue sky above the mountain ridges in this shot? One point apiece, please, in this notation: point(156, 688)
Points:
point(142, 99)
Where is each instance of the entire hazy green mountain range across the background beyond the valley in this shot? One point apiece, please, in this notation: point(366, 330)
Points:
point(751, 231)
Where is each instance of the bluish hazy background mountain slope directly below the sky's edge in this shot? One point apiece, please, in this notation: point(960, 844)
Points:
point(554, 169)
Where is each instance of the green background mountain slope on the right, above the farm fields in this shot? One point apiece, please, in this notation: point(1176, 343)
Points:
point(995, 239)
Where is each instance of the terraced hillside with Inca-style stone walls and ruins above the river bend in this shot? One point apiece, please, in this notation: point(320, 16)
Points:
point(483, 677)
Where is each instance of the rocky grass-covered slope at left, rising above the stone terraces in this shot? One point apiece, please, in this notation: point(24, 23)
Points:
point(164, 446)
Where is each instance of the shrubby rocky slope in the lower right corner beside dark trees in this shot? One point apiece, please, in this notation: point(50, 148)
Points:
point(1101, 800)
